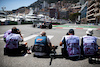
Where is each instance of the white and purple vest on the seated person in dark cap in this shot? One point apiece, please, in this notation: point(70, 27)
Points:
point(72, 45)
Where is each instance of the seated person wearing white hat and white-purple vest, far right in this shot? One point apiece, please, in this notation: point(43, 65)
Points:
point(89, 45)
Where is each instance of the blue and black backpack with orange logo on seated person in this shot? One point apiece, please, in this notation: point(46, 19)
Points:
point(40, 44)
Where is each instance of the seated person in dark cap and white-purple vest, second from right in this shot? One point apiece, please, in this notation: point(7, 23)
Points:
point(70, 45)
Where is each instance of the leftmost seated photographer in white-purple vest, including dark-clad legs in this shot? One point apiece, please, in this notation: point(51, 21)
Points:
point(12, 43)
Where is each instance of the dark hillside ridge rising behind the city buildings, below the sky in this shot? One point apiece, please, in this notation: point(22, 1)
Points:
point(38, 4)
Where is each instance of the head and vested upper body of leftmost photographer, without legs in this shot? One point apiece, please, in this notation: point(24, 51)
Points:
point(13, 39)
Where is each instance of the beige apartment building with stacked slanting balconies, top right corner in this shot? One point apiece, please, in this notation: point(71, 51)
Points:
point(93, 12)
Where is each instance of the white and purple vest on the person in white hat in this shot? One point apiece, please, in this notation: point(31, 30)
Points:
point(89, 45)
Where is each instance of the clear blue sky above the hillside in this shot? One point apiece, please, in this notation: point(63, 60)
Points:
point(14, 4)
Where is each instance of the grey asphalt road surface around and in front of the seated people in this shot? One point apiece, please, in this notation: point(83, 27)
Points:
point(30, 61)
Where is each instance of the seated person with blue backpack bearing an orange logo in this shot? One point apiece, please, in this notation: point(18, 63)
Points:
point(42, 45)
